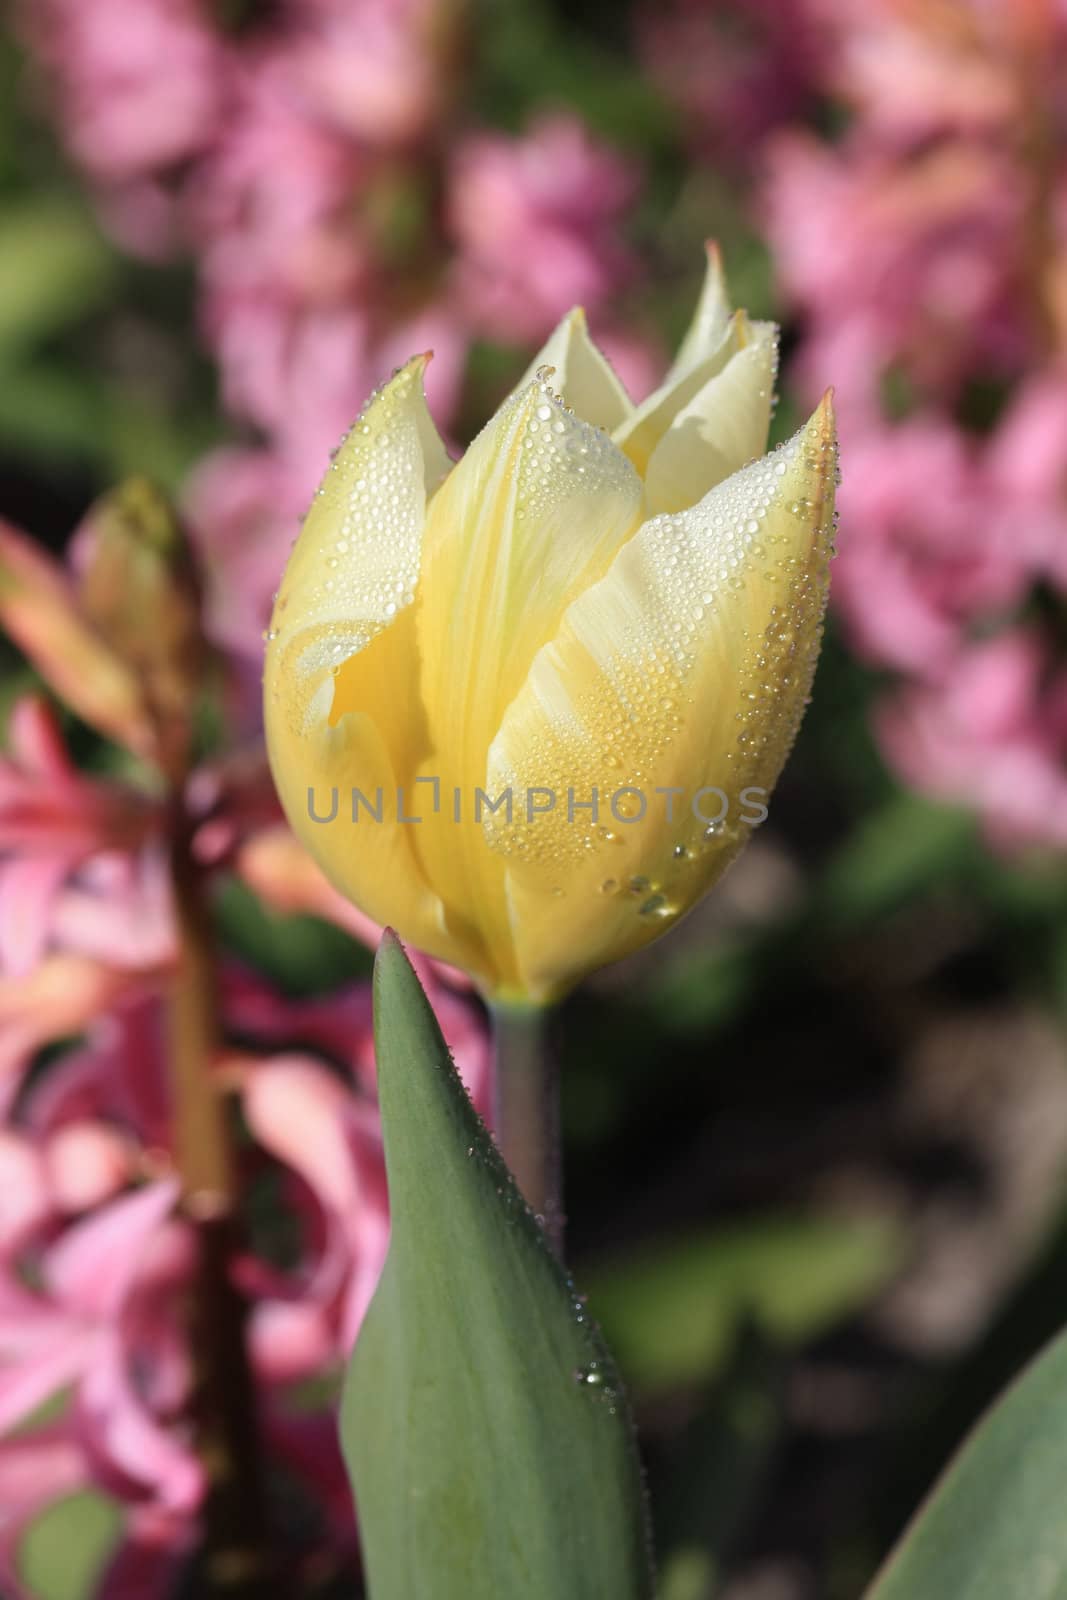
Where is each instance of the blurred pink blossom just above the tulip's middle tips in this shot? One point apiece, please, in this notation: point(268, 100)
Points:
point(537, 225)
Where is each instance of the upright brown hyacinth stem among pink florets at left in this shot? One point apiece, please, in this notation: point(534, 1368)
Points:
point(236, 1561)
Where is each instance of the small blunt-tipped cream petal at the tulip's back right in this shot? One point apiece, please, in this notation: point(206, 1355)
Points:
point(719, 431)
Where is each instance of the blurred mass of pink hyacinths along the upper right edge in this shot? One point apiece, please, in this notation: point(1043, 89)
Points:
point(927, 254)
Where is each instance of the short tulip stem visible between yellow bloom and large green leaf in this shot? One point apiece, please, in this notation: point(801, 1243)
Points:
point(527, 1113)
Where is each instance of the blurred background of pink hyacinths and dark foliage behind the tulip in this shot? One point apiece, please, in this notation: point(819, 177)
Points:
point(817, 1142)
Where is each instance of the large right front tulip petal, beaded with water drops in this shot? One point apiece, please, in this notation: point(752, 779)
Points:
point(689, 666)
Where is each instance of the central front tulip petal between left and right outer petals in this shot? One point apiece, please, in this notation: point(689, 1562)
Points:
point(533, 514)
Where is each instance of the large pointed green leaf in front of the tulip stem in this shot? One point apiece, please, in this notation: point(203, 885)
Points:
point(484, 1423)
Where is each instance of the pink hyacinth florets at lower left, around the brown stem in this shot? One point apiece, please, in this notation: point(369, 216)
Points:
point(113, 1265)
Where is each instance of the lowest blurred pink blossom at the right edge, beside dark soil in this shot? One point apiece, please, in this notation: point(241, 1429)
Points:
point(989, 735)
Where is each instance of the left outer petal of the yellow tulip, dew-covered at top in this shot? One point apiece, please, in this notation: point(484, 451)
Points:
point(342, 658)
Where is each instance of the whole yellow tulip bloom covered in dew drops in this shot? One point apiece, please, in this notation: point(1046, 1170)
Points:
point(607, 614)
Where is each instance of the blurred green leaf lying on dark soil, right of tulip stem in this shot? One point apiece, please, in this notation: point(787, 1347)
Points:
point(674, 1311)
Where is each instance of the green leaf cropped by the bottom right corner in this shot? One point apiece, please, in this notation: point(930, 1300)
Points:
point(994, 1527)
